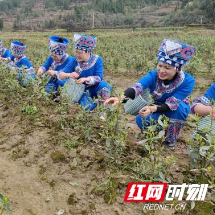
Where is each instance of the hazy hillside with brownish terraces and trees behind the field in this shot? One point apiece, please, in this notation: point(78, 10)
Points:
point(87, 14)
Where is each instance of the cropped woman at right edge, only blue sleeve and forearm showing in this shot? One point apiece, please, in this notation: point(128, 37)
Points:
point(204, 105)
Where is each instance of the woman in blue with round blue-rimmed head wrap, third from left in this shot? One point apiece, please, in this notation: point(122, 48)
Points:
point(57, 61)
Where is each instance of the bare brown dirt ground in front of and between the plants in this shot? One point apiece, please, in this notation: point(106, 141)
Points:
point(36, 184)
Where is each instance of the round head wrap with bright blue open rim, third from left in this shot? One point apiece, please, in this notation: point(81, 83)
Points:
point(58, 45)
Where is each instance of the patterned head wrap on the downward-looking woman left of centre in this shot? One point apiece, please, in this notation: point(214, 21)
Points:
point(84, 42)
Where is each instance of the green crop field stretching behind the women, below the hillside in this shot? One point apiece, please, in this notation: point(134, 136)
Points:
point(127, 51)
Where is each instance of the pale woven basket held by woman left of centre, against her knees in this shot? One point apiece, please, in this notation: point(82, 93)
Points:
point(73, 91)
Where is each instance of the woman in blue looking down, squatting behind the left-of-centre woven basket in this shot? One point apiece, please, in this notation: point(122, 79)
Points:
point(88, 69)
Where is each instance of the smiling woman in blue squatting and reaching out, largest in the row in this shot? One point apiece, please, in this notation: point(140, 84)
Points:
point(169, 86)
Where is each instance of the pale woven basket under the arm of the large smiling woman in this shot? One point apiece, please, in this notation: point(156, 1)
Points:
point(134, 106)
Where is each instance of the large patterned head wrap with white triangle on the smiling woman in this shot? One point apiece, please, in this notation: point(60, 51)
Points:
point(175, 53)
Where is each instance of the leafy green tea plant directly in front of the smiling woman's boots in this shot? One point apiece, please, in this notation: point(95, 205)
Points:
point(155, 165)
